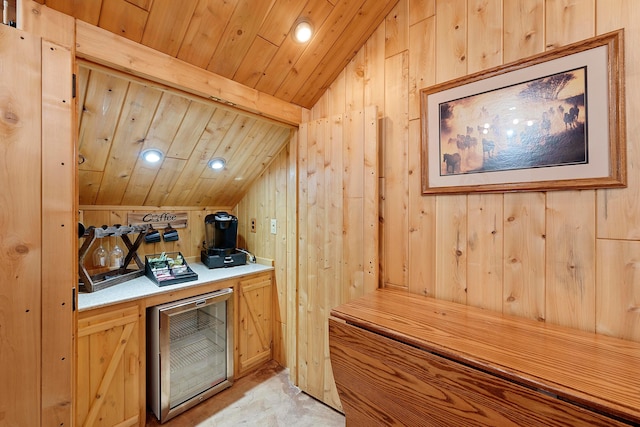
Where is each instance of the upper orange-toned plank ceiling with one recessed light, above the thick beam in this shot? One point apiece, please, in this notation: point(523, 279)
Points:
point(247, 41)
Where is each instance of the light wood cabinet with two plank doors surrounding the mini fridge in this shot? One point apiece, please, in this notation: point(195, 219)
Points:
point(111, 380)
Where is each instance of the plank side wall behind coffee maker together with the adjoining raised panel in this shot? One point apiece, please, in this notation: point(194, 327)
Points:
point(333, 188)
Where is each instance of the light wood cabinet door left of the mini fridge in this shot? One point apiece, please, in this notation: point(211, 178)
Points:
point(108, 383)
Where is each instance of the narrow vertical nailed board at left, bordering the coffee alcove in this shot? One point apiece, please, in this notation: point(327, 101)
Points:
point(59, 212)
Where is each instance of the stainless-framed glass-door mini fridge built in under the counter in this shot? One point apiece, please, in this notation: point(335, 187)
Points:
point(189, 352)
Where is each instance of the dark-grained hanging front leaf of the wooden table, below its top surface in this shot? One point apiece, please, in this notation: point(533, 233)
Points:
point(384, 382)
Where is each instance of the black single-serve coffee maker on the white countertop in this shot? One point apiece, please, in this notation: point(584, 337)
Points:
point(221, 232)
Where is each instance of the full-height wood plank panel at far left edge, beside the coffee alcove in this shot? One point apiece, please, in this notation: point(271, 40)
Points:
point(38, 219)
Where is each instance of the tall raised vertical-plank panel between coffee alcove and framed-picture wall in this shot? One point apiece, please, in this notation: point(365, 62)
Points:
point(337, 216)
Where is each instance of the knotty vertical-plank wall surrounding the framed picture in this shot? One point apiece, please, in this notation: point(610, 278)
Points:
point(566, 257)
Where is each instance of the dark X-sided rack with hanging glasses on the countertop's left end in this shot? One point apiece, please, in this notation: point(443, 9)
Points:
point(105, 279)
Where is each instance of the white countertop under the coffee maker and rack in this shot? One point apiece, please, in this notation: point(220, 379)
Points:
point(142, 287)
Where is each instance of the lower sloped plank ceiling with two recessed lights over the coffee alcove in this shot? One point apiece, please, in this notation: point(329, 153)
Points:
point(119, 117)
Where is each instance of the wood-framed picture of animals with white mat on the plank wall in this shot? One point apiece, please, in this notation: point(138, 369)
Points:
point(549, 122)
